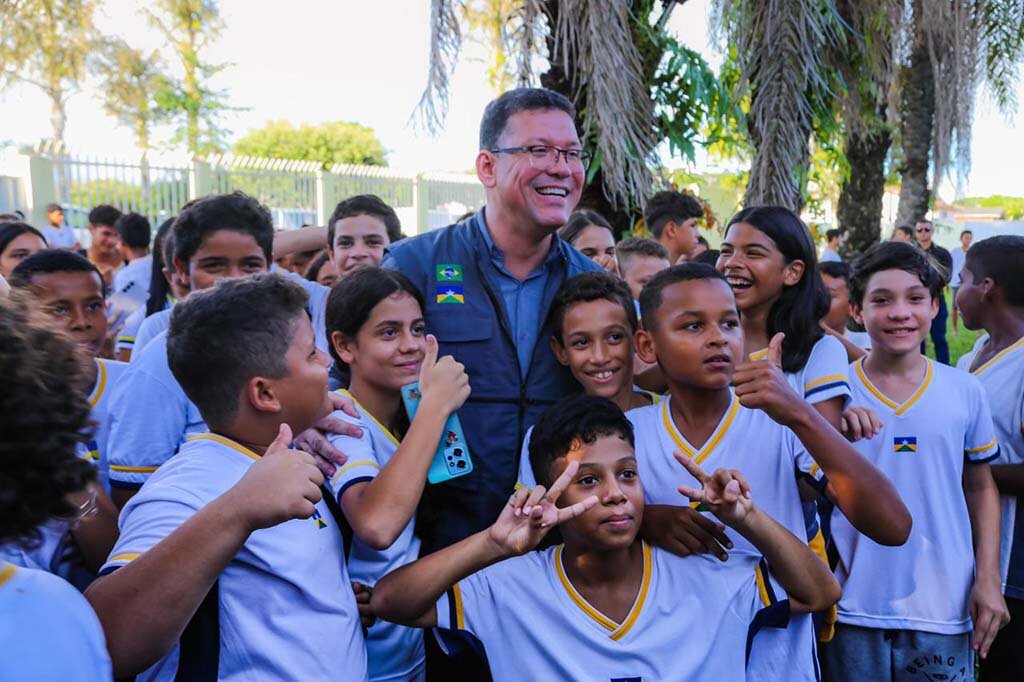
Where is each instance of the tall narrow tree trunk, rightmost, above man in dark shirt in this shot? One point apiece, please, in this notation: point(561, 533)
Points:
point(917, 117)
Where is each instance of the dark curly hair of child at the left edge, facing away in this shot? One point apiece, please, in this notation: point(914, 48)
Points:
point(45, 414)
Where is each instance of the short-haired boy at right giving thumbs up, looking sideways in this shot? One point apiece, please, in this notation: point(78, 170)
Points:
point(761, 428)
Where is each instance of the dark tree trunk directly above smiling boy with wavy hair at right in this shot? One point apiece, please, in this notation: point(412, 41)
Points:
point(860, 210)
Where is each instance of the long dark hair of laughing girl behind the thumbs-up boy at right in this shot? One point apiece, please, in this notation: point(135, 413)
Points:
point(801, 308)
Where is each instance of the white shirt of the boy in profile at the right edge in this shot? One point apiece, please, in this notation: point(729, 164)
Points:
point(1003, 379)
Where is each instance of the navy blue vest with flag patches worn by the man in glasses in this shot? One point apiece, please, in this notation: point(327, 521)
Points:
point(445, 266)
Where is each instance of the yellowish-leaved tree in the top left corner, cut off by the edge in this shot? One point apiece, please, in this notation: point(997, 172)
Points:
point(46, 44)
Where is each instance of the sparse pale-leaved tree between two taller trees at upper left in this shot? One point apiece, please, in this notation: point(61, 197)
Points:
point(132, 81)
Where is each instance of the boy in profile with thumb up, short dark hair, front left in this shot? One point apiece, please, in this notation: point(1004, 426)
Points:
point(230, 564)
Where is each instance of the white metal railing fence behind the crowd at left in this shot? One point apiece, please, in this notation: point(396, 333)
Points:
point(297, 193)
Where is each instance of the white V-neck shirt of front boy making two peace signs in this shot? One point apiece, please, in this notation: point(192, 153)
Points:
point(691, 620)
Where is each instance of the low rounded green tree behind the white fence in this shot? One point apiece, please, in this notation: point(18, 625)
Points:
point(327, 144)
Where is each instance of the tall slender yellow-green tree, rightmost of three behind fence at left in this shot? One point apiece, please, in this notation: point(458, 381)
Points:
point(190, 27)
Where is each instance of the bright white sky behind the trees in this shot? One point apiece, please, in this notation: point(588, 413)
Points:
point(313, 61)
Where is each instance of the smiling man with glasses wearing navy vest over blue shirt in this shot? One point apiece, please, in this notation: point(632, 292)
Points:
point(489, 284)
